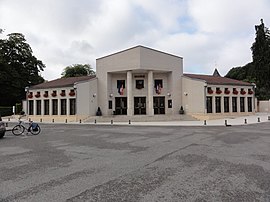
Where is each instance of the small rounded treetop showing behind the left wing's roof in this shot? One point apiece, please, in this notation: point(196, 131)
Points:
point(78, 70)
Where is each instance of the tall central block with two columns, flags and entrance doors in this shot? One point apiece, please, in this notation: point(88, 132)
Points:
point(130, 66)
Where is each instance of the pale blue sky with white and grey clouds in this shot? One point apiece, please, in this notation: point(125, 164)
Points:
point(207, 34)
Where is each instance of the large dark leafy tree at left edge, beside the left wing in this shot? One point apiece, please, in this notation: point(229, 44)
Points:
point(18, 68)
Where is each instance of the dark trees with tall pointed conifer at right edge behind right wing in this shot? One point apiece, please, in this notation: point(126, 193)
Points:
point(257, 71)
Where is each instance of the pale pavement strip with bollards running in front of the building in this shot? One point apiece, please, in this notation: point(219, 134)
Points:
point(244, 120)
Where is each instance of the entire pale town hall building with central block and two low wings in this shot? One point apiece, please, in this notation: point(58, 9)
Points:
point(139, 81)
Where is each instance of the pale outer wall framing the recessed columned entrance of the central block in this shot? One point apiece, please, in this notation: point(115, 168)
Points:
point(140, 60)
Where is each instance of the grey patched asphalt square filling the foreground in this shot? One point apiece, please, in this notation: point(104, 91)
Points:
point(135, 163)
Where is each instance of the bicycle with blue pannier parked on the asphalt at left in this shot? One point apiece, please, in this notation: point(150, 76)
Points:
point(20, 128)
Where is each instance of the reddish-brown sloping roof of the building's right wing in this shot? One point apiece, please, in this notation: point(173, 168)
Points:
point(216, 80)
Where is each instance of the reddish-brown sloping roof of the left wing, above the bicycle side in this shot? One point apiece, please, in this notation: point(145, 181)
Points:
point(62, 82)
